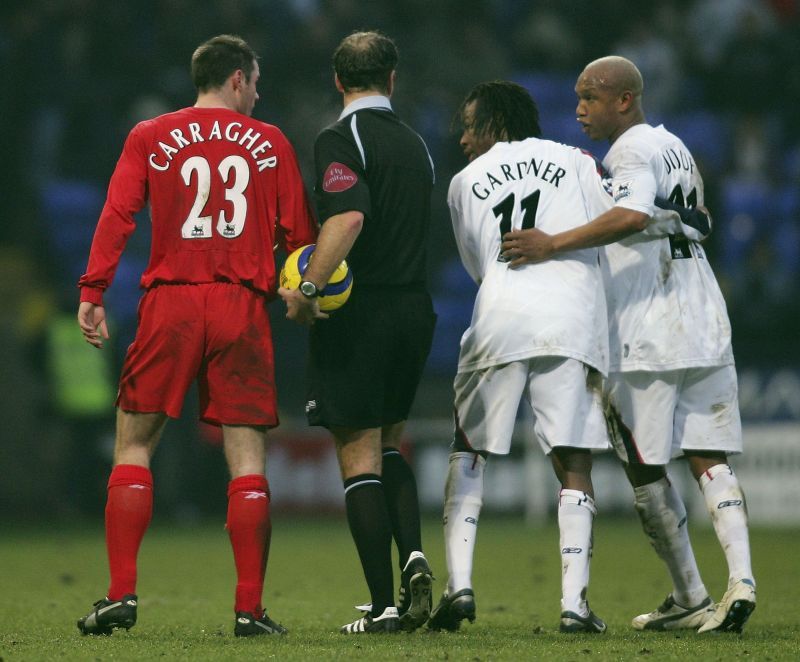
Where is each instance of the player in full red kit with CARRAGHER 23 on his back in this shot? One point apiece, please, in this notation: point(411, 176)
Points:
point(223, 190)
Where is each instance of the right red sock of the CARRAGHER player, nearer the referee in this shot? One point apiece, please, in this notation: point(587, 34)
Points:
point(249, 529)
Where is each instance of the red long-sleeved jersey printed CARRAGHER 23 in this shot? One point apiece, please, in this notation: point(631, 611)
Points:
point(223, 190)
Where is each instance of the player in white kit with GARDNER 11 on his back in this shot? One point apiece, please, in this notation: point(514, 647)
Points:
point(537, 334)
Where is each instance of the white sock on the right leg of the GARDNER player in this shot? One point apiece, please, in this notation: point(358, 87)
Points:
point(576, 512)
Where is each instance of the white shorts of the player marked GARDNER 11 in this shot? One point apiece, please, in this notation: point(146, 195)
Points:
point(564, 394)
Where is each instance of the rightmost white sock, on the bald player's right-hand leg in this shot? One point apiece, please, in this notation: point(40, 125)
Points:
point(726, 504)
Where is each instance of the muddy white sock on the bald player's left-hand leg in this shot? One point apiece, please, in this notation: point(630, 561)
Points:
point(663, 517)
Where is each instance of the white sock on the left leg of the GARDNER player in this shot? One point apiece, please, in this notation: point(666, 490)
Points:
point(462, 507)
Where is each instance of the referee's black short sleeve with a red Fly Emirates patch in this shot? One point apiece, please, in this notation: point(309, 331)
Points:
point(340, 181)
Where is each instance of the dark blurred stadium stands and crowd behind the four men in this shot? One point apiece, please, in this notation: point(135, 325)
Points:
point(76, 75)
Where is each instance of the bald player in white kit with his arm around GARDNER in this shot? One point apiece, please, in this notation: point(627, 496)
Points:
point(672, 386)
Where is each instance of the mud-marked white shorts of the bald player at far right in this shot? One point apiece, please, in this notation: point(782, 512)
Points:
point(654, 417)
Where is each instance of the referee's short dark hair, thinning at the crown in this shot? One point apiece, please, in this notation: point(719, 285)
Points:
point(365, 60)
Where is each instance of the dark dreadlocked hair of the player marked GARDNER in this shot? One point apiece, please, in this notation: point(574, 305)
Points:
point(503, 110)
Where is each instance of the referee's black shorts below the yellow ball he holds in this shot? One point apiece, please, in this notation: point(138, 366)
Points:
point(366, 361)
